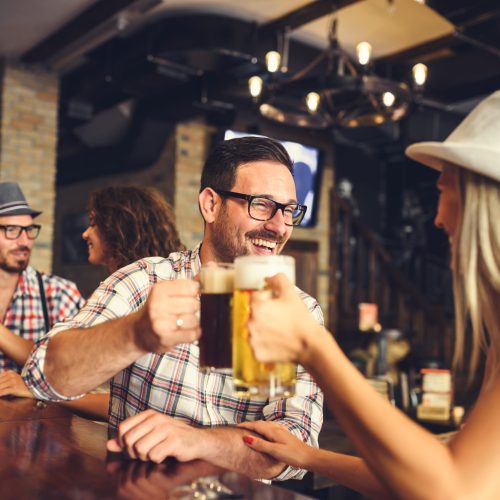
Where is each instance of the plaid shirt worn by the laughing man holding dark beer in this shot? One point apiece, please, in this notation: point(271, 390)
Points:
point(172, 383)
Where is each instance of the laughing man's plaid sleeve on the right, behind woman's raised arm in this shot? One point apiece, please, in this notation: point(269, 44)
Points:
point(301, 414)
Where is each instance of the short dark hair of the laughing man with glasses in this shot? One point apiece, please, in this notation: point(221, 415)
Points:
point(219, 171)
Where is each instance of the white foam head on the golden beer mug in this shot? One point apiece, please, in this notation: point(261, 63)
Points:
point(251, 270)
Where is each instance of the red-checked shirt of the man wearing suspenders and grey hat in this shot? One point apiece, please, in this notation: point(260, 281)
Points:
point(24, 317)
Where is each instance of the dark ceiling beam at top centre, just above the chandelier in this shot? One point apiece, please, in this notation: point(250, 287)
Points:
point(303, 15)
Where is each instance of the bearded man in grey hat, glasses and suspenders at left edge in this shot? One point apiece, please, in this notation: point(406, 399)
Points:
point(30, 302)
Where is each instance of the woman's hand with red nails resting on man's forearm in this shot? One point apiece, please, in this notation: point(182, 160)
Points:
point(279, 443)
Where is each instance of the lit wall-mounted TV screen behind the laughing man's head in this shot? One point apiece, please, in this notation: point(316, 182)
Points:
point(306, 161)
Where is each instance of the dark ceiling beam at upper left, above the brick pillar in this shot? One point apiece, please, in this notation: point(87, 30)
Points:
point(91, 17)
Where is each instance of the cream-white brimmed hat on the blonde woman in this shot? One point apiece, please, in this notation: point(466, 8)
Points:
point(474, 144)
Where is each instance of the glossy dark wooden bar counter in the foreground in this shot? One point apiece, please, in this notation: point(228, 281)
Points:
point(47, 452)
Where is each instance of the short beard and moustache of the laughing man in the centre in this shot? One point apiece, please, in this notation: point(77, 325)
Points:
point(229, 242)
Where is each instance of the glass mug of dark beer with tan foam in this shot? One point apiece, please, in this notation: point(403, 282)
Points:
point(217, 284)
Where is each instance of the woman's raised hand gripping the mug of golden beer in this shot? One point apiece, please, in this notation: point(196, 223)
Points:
point(280, 326)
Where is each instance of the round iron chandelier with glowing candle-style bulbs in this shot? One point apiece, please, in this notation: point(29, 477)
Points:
point(333, 90)
